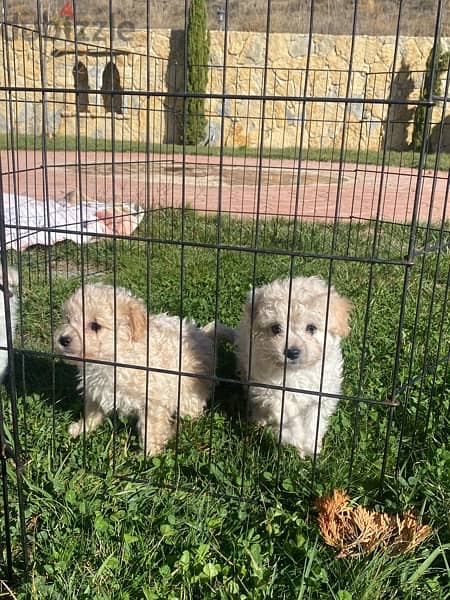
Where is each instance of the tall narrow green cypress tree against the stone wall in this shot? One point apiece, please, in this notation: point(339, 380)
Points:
point(197, 74)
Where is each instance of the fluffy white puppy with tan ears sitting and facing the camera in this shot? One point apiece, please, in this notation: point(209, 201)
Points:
point(285, 344)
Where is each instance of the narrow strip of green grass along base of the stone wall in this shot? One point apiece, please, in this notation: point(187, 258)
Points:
point(407, 158)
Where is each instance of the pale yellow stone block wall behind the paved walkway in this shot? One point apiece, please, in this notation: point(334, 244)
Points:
point(290, 101)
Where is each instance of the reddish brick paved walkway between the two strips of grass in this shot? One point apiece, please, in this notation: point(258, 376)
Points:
point(319, 190)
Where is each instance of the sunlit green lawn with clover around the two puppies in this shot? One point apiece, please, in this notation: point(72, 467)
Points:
point(103, 523)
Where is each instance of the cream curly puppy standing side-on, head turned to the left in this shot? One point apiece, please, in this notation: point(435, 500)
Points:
point(111, 325)
